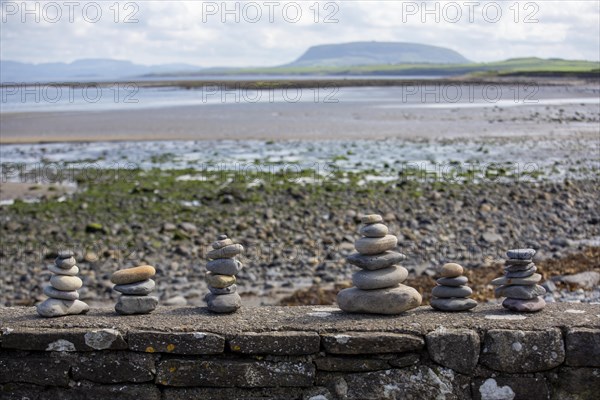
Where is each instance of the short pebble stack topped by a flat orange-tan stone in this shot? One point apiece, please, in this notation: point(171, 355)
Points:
point(135, 284)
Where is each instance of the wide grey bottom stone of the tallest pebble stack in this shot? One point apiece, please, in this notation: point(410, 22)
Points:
point(389, 301)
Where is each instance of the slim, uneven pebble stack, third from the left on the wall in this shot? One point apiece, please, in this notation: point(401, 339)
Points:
point(222, 267)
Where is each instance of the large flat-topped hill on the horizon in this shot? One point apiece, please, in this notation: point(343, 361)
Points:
point(376, 53)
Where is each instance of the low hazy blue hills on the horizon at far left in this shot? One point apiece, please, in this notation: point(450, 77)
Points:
point(83, 70)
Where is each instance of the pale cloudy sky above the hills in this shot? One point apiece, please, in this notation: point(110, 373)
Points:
point(271, 32)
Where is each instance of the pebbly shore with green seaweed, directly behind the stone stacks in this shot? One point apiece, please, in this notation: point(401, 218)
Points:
point(296, 235)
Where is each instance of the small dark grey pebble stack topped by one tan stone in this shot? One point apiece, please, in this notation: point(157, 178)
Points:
point(451, 293)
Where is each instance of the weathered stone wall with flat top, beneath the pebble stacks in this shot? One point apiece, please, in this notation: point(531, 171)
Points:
point(302, 353)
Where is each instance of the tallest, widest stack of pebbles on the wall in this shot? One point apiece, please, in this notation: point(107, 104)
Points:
point(378, 287)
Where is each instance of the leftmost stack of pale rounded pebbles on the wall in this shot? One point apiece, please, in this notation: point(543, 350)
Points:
point(64, 298)
